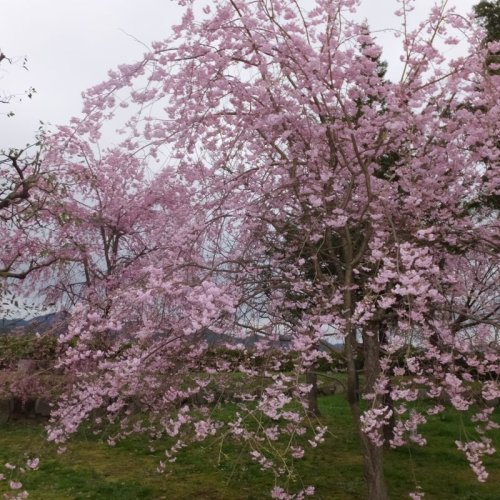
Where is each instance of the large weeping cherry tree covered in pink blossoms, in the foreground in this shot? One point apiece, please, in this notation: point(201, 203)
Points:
point(295, 191)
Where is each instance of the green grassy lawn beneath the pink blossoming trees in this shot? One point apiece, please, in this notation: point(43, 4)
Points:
point(91, 469)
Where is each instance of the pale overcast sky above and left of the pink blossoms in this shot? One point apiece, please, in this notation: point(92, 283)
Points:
point(70, 45)
